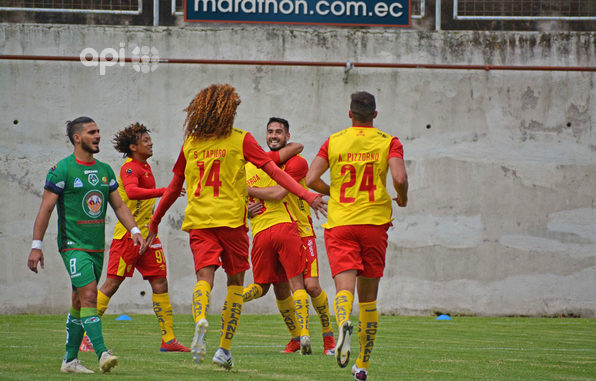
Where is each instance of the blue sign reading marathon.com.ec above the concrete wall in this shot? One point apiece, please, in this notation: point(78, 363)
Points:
point(390, 13)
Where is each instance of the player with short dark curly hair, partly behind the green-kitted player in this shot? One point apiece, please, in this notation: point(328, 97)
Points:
point(137, 189)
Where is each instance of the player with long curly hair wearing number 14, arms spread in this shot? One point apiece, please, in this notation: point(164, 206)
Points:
point(212, 162)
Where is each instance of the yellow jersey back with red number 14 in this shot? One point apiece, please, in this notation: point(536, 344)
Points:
point(215, 182)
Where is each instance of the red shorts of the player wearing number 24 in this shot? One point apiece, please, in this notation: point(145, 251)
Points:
point(357, 247)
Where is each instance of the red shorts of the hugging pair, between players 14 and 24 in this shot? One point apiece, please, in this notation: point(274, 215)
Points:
point(277, 254)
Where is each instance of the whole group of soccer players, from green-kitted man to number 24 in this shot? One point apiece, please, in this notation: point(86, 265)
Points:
point(226, 178)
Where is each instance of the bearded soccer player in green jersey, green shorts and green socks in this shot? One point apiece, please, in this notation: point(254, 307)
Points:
point(80, 186)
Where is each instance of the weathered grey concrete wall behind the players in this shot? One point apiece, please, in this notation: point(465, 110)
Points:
point(501, 215)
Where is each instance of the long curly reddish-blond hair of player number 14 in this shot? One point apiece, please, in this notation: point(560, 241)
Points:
point(211, 113)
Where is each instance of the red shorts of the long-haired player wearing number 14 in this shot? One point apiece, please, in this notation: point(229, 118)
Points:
point(222, 246)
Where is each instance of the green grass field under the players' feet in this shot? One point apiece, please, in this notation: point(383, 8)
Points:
point(407, 348)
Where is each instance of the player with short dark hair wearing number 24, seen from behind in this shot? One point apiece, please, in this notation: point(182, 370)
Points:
point(359, 158)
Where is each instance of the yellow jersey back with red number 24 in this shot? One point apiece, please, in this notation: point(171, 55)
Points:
point(358, 167)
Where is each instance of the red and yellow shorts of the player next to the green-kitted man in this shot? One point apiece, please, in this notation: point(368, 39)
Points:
point(124, 258)
